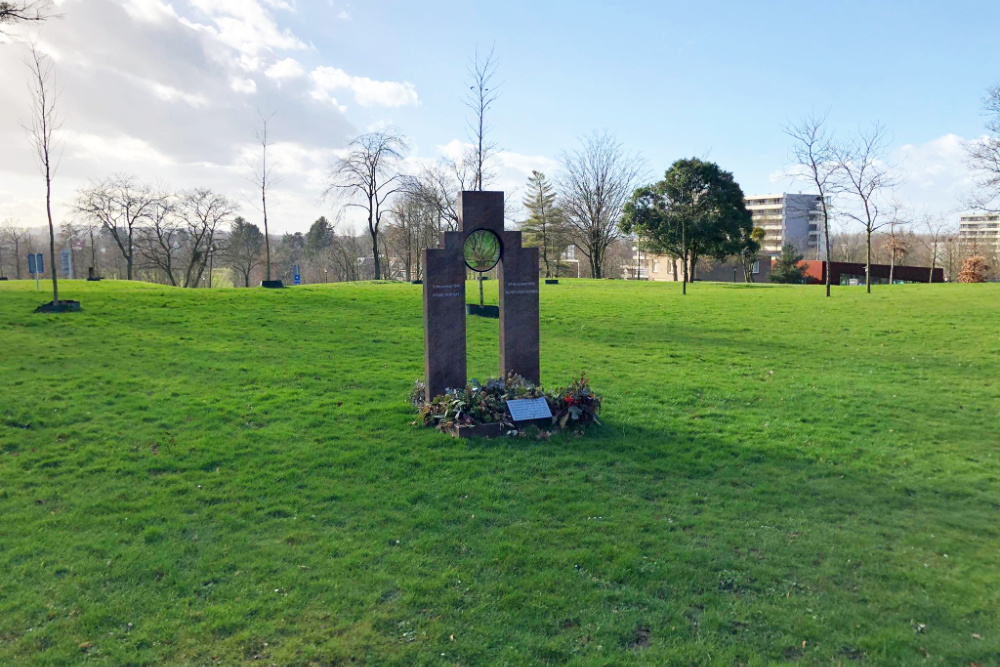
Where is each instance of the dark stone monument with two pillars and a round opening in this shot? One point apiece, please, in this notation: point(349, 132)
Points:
point(479, 244)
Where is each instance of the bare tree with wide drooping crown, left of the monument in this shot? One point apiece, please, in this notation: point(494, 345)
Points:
point(368, 176)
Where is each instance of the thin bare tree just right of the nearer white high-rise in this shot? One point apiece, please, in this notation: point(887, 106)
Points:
point(814, 153)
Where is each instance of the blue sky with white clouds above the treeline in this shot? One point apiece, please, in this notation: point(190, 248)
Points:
point(169, 90)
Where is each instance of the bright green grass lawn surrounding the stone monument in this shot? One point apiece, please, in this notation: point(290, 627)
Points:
point(229, 476)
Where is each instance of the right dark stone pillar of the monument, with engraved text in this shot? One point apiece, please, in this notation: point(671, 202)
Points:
point(518, 278)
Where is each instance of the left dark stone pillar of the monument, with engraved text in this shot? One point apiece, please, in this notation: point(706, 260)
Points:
point(444, 317)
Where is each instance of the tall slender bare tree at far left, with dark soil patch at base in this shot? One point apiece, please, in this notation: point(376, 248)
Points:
point(44, 123)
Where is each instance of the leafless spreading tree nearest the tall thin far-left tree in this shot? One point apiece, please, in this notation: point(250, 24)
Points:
point(120, 204)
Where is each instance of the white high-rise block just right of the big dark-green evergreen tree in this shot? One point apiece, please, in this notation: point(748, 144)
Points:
point(789, 218)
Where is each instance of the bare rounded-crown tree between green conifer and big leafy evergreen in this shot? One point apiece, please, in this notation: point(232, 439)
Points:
point(596, 181)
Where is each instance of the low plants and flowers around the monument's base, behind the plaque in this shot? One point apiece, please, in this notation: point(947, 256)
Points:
point(476, 403)
